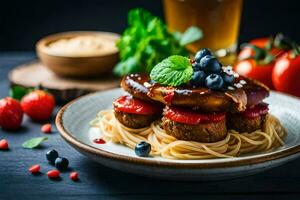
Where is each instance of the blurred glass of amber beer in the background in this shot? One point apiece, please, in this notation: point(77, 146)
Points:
point(218, 19)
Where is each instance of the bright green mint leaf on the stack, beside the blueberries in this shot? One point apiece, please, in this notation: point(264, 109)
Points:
point(174, 71)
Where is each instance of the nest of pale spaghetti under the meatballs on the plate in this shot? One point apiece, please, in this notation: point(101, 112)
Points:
point(167, 146)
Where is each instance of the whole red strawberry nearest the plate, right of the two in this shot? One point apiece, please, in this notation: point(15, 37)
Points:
point(38, 105)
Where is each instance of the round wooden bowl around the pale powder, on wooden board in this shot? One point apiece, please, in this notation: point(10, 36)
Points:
point(78, 66)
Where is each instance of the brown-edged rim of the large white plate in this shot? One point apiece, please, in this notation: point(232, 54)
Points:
point(67, 136)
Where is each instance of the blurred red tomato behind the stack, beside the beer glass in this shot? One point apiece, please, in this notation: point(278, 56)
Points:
point(251, 69)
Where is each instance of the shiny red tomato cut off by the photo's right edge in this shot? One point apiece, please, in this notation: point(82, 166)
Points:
point(286, 75)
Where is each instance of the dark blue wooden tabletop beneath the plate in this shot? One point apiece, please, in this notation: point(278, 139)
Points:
point(98, 182)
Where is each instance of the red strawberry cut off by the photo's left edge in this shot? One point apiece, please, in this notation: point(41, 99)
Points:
point(11, 114)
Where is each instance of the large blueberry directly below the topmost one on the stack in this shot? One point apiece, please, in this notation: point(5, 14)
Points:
point(210, 64)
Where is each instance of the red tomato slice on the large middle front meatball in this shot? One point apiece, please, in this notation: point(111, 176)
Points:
point(188, 116)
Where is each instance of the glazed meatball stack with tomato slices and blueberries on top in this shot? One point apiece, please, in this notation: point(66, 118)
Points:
point(215, 100)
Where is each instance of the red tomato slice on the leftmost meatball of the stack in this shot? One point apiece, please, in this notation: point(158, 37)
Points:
point(128, 104)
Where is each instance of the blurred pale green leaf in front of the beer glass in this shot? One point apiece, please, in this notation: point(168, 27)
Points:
point(191, 35)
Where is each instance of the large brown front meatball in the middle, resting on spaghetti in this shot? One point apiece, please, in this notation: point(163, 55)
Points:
point(203, 132)
